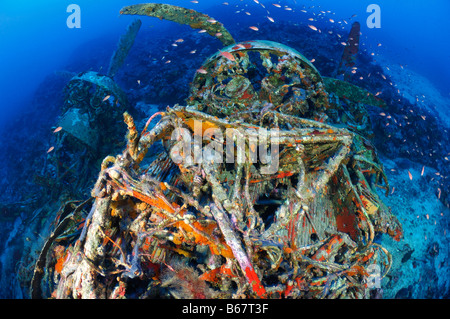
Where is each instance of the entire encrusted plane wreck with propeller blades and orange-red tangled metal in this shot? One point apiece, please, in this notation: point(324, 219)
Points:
point(165, 225)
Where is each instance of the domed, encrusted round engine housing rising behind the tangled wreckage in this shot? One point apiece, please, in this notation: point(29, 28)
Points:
point(254, 75)
